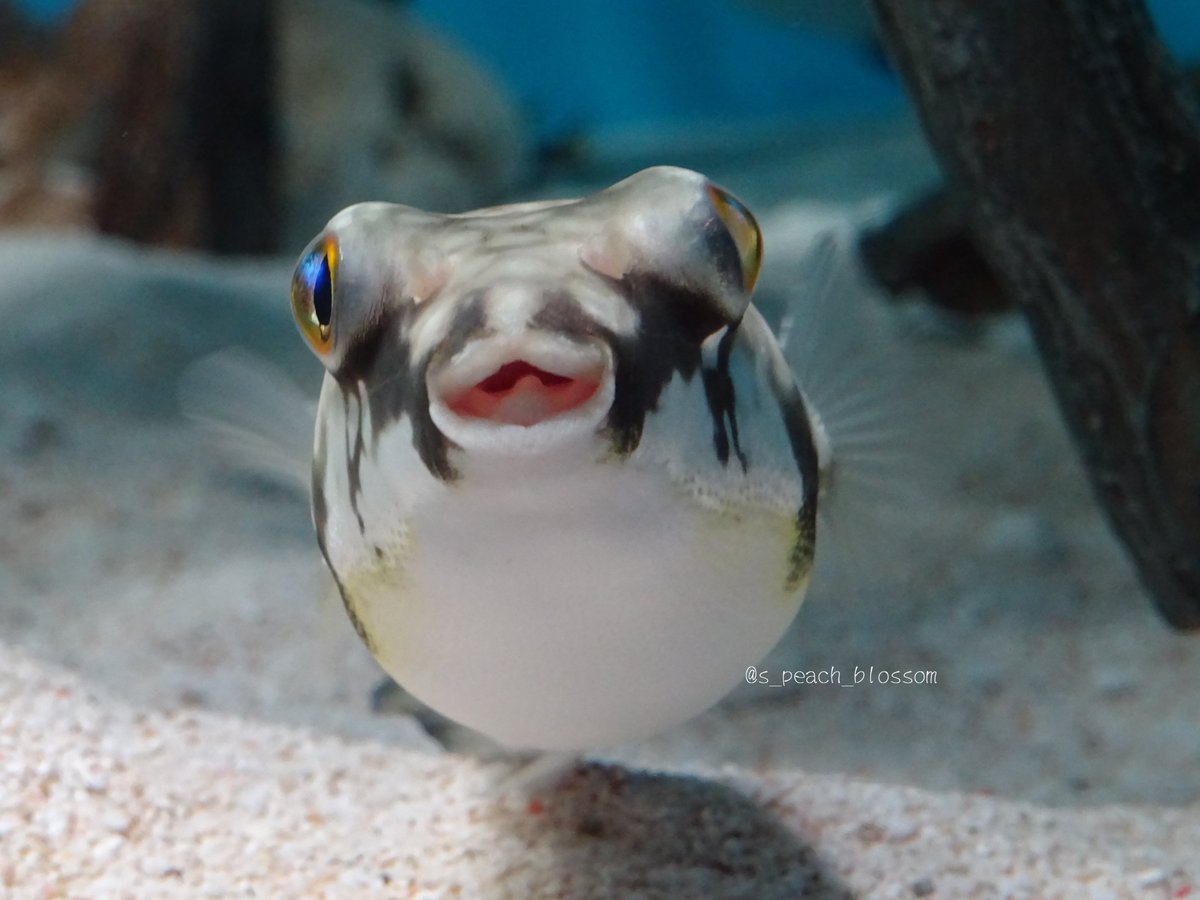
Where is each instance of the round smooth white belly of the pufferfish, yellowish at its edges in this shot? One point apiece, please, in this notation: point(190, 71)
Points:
point(572, 610)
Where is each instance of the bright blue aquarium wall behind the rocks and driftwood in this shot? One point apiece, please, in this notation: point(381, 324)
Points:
point(598, 64)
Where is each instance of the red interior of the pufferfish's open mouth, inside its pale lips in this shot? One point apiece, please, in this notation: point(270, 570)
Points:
point(521, 394)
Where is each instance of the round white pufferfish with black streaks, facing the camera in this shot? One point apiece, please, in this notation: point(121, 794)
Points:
point(562, 473)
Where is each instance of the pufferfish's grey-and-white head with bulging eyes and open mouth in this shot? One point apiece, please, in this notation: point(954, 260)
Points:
point(517, 329)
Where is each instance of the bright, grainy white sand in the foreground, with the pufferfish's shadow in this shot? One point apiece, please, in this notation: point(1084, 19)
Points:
point(103, 800)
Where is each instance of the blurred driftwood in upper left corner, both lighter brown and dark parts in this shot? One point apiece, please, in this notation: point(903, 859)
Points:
point(169, 111)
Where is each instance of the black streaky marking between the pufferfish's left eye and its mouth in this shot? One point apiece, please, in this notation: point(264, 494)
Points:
point(381, 361)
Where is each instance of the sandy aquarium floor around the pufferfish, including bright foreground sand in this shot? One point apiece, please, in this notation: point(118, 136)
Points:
point(183, 706)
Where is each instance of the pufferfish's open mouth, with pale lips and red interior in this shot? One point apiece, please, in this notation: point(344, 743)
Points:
point(524, 383)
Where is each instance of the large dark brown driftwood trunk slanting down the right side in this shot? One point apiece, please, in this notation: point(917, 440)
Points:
point(1077, 147)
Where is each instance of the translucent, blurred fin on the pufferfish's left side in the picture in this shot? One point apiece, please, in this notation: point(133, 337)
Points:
point(256, 416)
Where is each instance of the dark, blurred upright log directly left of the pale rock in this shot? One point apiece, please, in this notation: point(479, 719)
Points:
point(188, 148)
